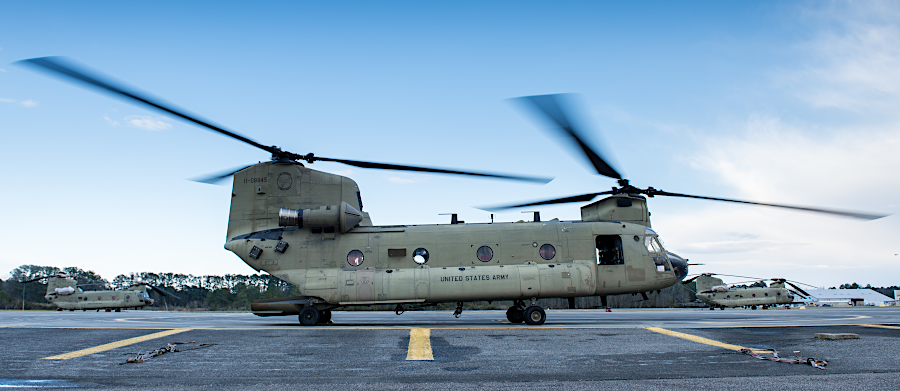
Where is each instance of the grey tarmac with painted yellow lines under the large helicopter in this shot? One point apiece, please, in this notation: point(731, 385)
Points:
point(575, 349)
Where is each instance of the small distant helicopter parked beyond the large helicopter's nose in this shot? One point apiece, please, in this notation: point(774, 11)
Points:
point(714, 292)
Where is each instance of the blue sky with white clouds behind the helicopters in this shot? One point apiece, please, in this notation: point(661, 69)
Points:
point(790, 102)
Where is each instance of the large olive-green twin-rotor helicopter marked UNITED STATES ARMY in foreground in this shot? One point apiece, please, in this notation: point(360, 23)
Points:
point(308, 227)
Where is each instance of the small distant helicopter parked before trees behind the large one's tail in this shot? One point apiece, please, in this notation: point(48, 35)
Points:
point(64, 292)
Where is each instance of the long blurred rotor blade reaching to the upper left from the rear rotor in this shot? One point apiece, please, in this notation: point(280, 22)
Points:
point(61, 67)
